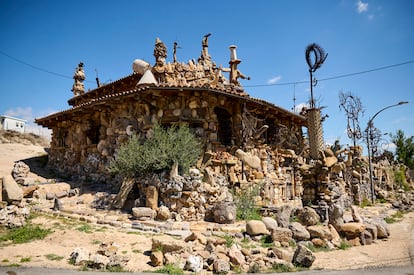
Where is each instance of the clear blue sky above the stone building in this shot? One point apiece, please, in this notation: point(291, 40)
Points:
point(271, 38)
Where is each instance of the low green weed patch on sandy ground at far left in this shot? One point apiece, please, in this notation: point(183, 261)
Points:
point(25, 234)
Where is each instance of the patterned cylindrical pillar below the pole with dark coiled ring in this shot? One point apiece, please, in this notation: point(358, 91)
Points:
point(315, 132)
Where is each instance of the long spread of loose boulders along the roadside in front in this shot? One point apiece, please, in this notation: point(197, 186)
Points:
point(266, 243)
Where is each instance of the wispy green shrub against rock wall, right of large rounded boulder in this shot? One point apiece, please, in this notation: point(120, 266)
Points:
point(245, 206)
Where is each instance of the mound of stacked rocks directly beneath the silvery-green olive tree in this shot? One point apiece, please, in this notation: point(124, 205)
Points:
point(193, 197)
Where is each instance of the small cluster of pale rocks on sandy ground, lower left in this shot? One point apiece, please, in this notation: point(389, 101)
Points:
point(104, 258)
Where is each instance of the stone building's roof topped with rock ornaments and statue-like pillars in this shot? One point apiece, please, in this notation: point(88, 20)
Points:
point(201, 75)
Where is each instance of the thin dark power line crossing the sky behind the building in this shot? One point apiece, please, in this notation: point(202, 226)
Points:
point(247, 86)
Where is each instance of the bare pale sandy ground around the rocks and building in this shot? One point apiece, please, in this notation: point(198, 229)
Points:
point(69, 234)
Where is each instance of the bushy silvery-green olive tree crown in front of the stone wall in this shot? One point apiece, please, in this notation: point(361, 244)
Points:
point(165, 147)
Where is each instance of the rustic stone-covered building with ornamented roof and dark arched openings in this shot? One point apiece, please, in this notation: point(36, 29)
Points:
point(217, 108)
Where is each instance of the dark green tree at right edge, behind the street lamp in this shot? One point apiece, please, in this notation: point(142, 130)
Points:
point(405, 148)
